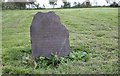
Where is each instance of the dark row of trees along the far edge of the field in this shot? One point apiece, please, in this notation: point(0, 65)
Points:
point(53, 3)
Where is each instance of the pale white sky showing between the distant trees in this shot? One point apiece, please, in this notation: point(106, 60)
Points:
point(59, 2)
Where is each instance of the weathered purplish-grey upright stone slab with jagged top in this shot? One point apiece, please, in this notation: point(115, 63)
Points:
point(48, 36)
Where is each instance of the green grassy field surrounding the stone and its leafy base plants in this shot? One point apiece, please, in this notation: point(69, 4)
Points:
point(95, 29)
